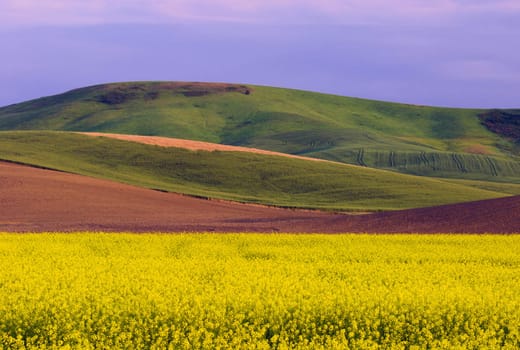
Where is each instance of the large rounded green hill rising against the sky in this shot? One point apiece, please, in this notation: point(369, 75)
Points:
point(412, 139)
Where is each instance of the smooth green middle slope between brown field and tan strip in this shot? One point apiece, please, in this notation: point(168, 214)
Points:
point(233, 175)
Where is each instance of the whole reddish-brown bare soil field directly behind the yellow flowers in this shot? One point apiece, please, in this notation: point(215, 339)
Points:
point(39, 200)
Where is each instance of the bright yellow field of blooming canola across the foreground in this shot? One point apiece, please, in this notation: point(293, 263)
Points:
point(242, 291)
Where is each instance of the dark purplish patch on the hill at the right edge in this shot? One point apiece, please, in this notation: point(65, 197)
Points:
point(502, 122)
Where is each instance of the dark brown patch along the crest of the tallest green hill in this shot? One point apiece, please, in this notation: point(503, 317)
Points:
point(114, 94)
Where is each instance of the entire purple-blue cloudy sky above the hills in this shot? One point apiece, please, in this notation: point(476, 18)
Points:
point(461, 53)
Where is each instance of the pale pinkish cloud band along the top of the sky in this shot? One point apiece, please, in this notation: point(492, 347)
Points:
point(79, 12)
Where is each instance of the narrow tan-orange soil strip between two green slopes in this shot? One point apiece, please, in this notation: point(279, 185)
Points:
point(192, 145)
